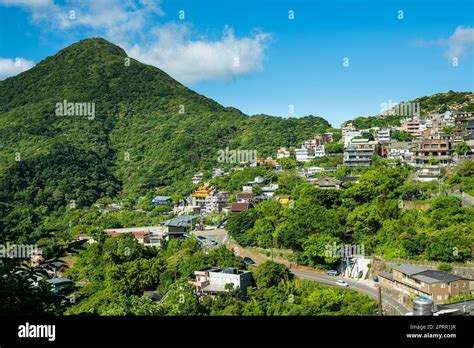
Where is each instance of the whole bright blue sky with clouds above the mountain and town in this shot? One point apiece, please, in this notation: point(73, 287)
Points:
point(280, 61)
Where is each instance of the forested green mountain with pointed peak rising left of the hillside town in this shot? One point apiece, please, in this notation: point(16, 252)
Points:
point(148, 131)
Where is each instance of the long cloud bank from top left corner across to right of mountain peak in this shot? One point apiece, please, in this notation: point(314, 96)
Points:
point(132, 25)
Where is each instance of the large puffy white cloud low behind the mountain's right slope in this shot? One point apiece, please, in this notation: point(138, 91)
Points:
point(191, 61)
